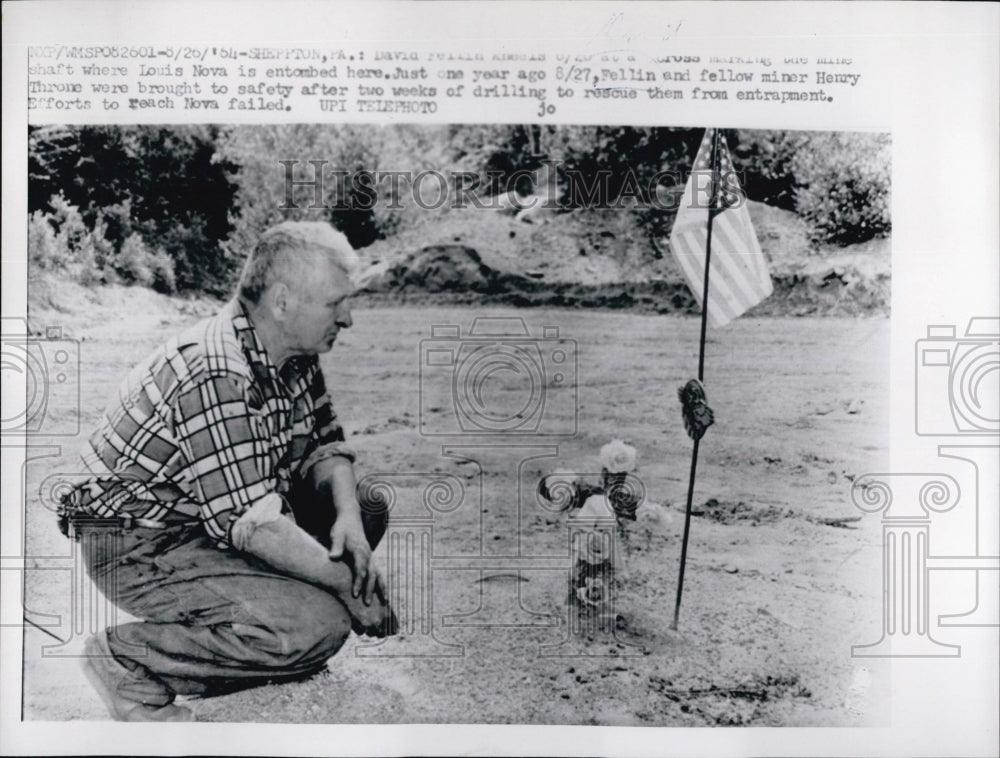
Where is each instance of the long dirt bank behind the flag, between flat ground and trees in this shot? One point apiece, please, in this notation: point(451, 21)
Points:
point(591, 259)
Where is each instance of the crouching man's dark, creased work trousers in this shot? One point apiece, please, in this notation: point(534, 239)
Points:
point(214, 620)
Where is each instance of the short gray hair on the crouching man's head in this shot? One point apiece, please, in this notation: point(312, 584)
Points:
point(286, 249)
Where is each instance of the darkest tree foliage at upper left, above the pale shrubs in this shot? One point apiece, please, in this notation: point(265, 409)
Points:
point(162, 183)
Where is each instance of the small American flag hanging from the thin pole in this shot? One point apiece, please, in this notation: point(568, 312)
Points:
point(739, 278)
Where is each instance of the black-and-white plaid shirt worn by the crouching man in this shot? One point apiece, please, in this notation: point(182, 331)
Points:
point(207, 426)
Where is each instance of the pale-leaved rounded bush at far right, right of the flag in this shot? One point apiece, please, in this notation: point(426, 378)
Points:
point(843, 186)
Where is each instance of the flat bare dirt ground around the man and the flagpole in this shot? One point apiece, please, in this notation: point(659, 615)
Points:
point(774, 597)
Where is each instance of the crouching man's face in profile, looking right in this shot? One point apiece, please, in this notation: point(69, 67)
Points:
point(318, 308)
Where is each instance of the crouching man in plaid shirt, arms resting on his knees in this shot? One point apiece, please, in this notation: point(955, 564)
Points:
point(220, 506)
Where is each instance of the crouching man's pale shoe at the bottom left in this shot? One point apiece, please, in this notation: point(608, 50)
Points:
point(128, 695)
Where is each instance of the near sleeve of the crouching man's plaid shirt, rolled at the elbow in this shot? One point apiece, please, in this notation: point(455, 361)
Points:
point(226, 450)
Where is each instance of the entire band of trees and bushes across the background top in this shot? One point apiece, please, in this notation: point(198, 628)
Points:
point(179, 207)
